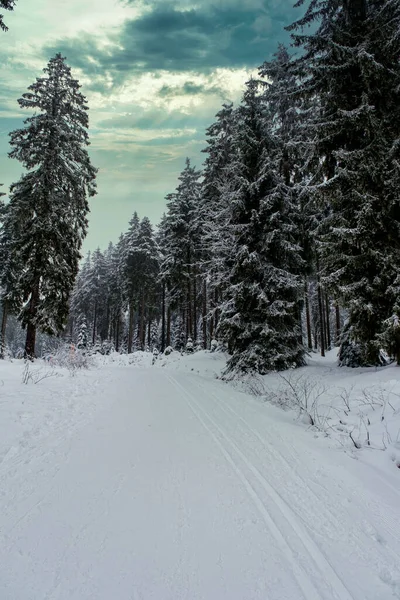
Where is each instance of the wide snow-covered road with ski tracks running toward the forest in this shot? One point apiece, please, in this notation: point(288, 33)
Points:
point(177, 487)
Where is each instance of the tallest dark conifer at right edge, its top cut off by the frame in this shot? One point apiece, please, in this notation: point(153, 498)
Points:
point(350, 64)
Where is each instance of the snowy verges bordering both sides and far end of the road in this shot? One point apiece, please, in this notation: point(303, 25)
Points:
point(357, 410)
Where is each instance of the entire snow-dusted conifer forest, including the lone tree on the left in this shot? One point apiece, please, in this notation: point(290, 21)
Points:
point(285, 241)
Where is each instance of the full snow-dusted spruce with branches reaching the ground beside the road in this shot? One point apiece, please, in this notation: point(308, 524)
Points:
point(259, 318)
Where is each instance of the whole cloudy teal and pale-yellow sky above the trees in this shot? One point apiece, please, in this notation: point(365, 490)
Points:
point(154, 72)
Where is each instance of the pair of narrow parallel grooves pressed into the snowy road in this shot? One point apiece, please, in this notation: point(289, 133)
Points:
point(302, 577)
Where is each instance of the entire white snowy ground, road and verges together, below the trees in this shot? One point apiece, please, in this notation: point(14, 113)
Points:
point(133, 481)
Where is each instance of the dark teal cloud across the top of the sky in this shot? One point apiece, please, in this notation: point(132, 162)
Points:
point(180, 37)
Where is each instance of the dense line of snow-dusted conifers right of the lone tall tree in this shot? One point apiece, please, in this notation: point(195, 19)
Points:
point(288, 238)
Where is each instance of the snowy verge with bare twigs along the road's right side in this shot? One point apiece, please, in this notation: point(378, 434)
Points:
point(357, 409)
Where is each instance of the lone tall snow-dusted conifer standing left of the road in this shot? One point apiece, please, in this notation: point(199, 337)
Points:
point(49, 206)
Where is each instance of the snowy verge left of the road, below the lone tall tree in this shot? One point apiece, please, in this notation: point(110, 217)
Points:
point(46, 399)
